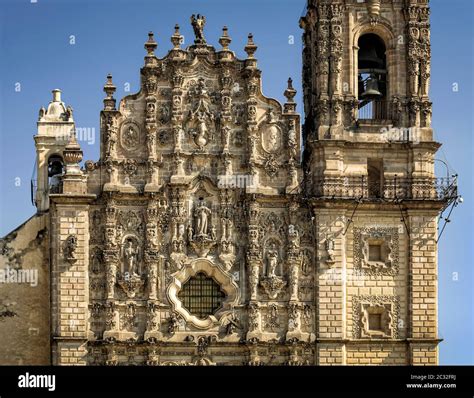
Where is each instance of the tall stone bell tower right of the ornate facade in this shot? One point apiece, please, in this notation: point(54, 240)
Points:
point(369, 176)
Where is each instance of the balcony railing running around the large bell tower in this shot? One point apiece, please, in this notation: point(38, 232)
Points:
point(393, 188)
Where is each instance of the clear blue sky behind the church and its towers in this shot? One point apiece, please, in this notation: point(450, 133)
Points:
point(73, 44)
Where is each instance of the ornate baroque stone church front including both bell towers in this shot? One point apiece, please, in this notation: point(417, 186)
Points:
point(202, 236)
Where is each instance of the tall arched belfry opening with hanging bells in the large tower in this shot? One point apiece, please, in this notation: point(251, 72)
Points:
point(372, 77)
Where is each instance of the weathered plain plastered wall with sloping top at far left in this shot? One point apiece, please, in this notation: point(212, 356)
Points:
point(25, 309)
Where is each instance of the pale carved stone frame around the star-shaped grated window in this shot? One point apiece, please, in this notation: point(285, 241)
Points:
point(225, 281)
